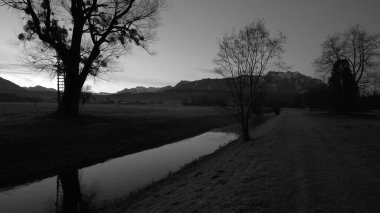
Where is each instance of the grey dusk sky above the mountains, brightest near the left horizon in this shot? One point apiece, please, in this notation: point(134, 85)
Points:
point(186, 41)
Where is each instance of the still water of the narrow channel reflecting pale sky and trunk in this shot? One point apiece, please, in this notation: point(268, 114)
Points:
point(111, 179)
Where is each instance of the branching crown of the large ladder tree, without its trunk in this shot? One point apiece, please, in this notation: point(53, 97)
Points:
point(88, 28)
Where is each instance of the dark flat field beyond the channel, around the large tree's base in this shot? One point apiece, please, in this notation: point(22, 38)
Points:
point(34, 144)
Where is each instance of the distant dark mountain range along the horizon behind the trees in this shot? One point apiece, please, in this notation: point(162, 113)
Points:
point(279, 84)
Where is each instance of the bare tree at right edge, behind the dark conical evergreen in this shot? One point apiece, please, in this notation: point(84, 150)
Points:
point(359, 47)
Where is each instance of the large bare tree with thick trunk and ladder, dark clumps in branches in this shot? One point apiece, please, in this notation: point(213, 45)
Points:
point(84, 35)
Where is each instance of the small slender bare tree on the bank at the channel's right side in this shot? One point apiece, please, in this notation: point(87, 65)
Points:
point(243, 57)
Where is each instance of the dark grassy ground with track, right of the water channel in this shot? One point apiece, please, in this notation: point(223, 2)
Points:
point(297, 162)
